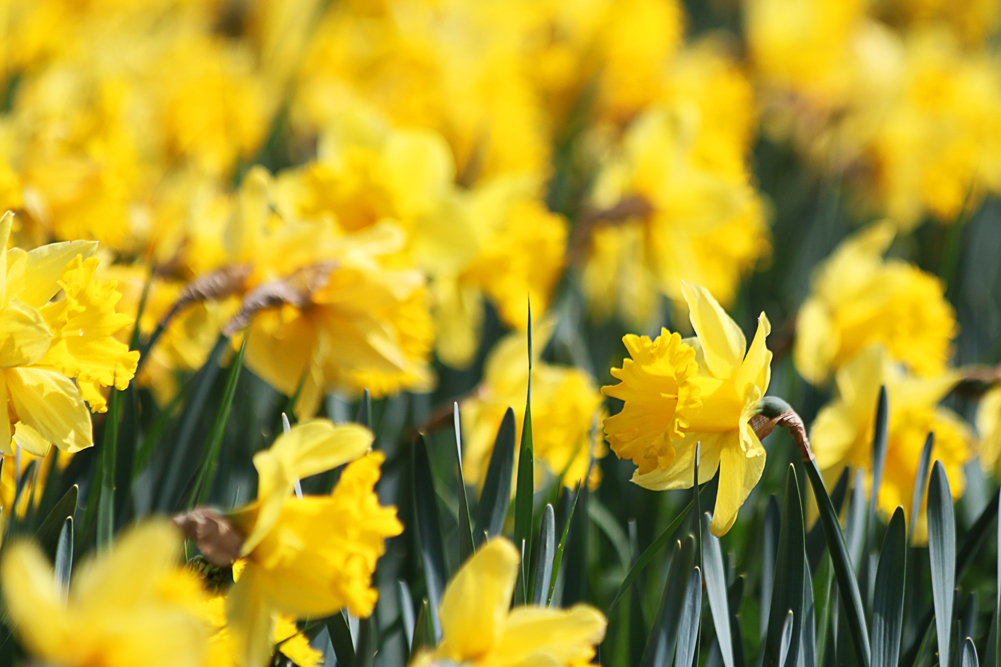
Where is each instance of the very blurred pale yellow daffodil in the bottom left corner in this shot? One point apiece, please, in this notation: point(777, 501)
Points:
point(132, 606)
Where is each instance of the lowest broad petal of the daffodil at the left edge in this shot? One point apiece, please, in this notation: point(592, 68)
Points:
point(51, 404)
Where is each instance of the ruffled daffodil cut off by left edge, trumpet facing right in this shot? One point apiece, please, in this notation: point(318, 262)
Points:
point(45, 346)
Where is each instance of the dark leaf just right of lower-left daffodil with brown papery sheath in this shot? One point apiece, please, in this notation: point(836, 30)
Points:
point(429, 531)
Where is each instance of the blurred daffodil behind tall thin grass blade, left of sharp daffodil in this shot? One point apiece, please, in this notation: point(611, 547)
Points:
point(566, 406)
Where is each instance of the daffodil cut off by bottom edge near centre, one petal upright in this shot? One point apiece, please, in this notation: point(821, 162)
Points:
point(480, 629)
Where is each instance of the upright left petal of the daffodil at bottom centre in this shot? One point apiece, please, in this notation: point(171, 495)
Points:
point(476, 602)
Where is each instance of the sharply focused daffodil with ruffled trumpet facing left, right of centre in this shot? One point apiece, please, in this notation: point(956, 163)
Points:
point(679, 393)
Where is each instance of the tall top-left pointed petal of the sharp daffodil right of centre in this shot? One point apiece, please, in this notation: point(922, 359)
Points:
point(722, 340)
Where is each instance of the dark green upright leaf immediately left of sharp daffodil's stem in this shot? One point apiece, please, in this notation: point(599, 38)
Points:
point(787, 594)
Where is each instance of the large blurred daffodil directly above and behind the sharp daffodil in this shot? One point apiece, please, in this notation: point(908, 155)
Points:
point(685, 218)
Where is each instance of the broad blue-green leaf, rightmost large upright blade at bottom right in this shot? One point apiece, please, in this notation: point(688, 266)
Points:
point(942, 555)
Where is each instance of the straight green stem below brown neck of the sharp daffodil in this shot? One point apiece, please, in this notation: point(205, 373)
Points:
point(848, 587)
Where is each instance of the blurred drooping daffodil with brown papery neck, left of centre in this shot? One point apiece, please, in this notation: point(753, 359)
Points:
point(361, 325)
